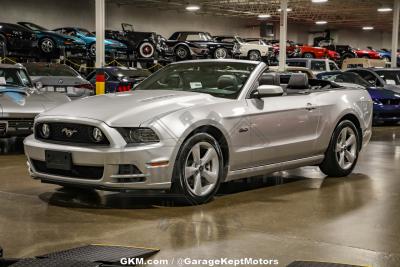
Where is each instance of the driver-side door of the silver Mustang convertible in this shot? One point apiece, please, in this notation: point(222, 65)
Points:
point(283, 128)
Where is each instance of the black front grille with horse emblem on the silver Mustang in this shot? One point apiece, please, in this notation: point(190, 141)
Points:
point(81, 134)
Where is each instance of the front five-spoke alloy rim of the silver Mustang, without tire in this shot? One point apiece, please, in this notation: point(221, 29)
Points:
point(201, 169)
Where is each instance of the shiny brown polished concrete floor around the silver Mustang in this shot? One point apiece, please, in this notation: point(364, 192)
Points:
point(296, 215)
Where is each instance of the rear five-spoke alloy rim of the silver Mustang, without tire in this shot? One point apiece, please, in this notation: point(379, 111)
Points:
point(346, 148)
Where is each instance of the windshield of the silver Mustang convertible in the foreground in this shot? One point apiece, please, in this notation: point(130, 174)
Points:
point(220, 79)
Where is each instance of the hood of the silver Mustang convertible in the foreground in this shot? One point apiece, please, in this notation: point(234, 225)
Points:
point(131, 109)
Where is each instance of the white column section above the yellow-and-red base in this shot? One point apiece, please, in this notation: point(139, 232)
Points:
point(100, 28)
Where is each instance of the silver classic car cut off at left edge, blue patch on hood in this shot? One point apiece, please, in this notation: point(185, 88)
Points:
point(20, 102)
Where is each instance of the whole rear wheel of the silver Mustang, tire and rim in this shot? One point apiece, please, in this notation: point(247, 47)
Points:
point(342, 154)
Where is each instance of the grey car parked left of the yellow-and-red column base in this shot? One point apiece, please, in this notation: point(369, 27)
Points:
point(51, 77)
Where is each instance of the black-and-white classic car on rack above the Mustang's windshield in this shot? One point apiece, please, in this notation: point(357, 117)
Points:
point(185, 45)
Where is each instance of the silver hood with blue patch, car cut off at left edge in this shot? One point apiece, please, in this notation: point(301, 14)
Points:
point(25, 103)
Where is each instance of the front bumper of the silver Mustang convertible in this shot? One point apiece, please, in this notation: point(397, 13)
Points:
point(109, 159)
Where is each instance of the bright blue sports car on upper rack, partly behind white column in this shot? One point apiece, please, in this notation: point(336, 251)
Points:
point(112, 47)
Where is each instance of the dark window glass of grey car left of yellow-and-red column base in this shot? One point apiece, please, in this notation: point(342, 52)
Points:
point(50, 70)
